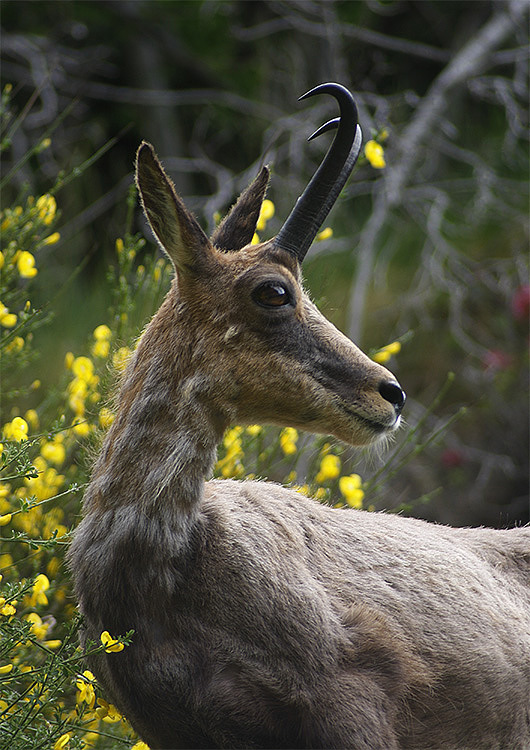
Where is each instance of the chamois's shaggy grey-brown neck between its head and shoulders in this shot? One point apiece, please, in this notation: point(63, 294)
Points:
point(162, 444)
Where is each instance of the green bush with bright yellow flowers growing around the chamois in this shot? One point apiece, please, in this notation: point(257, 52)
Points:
point(48, 699)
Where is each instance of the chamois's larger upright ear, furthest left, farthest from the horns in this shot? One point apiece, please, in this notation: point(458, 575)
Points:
point(173, 225)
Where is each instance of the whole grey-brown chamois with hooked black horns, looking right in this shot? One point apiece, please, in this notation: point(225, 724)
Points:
point(261, 618)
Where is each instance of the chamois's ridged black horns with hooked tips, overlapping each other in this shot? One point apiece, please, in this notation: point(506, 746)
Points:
point(316, 201)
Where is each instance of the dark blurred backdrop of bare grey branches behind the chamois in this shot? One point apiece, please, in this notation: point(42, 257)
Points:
point(431, 250)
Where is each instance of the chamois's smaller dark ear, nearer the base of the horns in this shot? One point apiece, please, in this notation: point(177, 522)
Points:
point(238, 227)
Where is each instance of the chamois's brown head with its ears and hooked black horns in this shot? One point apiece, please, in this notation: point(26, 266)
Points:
point(240, 321)
